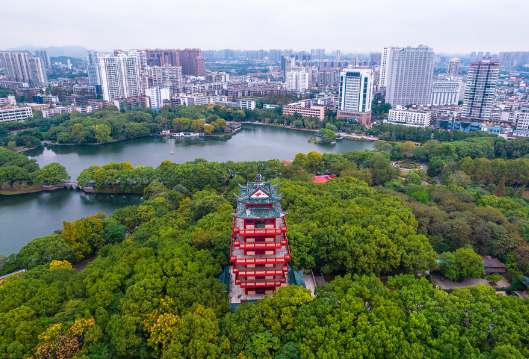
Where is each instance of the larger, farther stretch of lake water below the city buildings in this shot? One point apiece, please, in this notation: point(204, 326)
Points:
point(254, 142)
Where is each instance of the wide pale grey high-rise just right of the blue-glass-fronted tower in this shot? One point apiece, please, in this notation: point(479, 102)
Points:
point(407, 74)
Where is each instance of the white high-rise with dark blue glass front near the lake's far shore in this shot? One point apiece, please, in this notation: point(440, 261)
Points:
point(356, 94)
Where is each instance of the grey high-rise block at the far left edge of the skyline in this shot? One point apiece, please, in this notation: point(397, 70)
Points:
point(20, 66)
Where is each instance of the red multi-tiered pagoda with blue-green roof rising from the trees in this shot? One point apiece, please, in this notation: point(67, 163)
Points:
point(259, 245)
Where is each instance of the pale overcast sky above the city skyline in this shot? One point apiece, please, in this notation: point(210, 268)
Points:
point(449, 26)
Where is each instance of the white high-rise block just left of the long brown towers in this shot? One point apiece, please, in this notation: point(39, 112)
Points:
point(120, 76)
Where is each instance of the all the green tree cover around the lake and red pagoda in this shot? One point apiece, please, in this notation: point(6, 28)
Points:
point(151, 288)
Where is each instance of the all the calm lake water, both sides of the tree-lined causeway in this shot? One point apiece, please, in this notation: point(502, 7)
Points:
point(25, 217)
